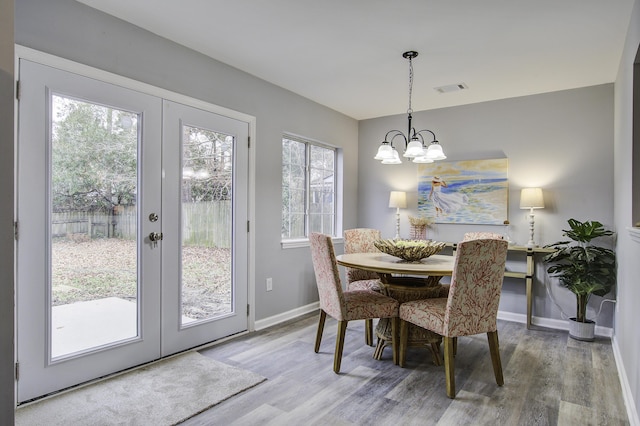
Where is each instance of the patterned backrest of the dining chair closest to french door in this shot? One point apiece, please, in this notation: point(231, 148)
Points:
point(327, 276)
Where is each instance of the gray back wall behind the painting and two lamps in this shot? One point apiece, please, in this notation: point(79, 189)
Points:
point(559, 141)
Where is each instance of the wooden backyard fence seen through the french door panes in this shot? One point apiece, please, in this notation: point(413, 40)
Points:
point(205, 224)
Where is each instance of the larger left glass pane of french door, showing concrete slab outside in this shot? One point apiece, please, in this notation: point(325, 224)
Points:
point(93, 229)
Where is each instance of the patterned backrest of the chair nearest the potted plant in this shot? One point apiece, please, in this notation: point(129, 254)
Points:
point(476, 283)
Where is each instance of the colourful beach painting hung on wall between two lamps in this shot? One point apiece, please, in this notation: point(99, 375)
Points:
point(470, 192)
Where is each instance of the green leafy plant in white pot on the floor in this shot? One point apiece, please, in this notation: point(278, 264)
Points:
point(583, 268)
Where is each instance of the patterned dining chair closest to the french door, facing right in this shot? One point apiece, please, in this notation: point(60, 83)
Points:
point(344, 306)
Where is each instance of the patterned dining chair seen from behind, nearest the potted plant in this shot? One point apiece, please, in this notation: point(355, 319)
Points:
point(471, 307)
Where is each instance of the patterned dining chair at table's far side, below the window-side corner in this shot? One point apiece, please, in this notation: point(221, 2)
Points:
point(360, 240)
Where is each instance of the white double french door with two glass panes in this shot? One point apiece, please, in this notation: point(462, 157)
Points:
point(132, 243)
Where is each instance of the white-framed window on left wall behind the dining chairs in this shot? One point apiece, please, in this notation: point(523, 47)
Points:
point(308, 188)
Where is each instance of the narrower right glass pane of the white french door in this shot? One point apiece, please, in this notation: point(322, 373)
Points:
point(207, 182)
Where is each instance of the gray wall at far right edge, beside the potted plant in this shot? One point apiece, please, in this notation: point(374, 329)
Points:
point(627, 332)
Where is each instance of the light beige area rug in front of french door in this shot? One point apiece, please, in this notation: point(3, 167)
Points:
point(163, 393)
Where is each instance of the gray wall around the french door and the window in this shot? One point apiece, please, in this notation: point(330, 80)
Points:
point(74, 31)
